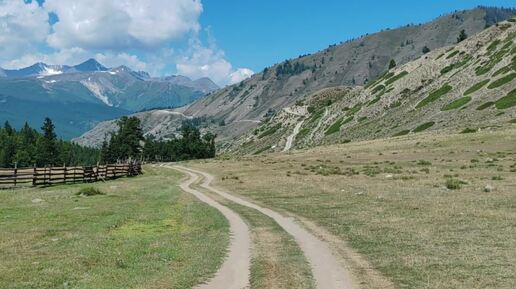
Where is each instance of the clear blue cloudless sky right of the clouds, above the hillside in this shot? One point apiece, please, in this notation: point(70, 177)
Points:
point(256, 34)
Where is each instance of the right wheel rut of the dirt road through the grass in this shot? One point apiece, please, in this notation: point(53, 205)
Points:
point(328, 272)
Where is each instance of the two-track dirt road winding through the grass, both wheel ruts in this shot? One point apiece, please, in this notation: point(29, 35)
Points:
point(327, 271)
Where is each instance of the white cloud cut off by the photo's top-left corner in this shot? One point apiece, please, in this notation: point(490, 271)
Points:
point(22, 25)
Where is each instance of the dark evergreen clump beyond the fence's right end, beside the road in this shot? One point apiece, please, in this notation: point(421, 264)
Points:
point(129, 143)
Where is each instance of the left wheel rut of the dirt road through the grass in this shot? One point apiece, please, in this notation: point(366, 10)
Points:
point(235, 271)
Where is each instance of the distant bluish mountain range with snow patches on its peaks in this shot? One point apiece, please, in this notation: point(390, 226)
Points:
point(78, 97)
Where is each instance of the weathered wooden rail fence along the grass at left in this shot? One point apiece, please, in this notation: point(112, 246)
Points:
point(66, 175)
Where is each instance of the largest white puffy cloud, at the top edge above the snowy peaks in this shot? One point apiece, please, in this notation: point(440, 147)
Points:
point(123, 24)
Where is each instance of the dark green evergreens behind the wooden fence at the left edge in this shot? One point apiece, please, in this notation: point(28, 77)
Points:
point(28, 147)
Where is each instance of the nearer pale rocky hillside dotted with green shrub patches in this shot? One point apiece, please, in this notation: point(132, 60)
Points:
point(460, 88)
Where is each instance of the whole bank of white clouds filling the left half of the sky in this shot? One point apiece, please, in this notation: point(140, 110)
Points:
point(139, 34)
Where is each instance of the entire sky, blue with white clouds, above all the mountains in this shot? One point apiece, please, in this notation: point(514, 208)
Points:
point(226, 40)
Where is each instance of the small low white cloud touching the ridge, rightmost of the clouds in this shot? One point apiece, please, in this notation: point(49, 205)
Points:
point(201, 61)
